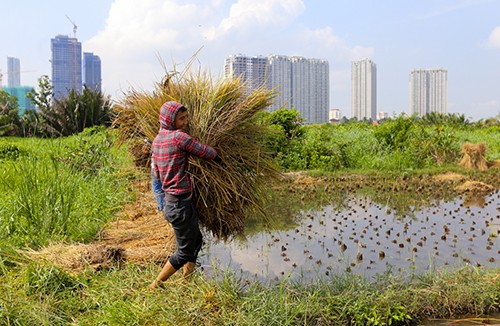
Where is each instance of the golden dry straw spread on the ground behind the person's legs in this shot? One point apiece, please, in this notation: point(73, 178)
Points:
point(139, 234)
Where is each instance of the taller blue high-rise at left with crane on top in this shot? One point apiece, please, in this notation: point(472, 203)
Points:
point(66, 65)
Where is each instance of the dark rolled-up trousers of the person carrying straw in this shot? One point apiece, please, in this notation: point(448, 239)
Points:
point(183, 217)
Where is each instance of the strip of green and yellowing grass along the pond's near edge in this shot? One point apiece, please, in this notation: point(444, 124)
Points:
point(43, 294)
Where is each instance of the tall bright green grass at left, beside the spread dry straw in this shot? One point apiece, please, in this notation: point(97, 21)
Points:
point(63, 191)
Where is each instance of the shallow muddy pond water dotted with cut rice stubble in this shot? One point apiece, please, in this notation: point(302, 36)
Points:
point(367, 238)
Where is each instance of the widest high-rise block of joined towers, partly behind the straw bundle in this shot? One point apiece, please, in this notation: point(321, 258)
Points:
point(301, 83)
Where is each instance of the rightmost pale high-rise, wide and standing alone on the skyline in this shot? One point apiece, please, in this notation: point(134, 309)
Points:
point(428, 91)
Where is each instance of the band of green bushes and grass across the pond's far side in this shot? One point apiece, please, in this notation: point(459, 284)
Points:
point(399, 144)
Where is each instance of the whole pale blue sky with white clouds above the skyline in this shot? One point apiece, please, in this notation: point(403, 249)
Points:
point(138, 41)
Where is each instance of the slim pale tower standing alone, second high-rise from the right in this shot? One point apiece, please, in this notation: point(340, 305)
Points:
point(364, 89)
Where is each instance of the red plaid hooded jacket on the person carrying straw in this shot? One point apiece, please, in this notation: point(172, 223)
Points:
point(171, 148)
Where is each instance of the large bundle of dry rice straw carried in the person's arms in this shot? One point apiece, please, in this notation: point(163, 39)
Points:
point(222, 114)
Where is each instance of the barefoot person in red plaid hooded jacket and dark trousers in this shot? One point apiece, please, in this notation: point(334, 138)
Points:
point(171, 148)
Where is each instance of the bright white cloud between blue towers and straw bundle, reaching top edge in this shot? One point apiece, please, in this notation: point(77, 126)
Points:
point(137, 33)
